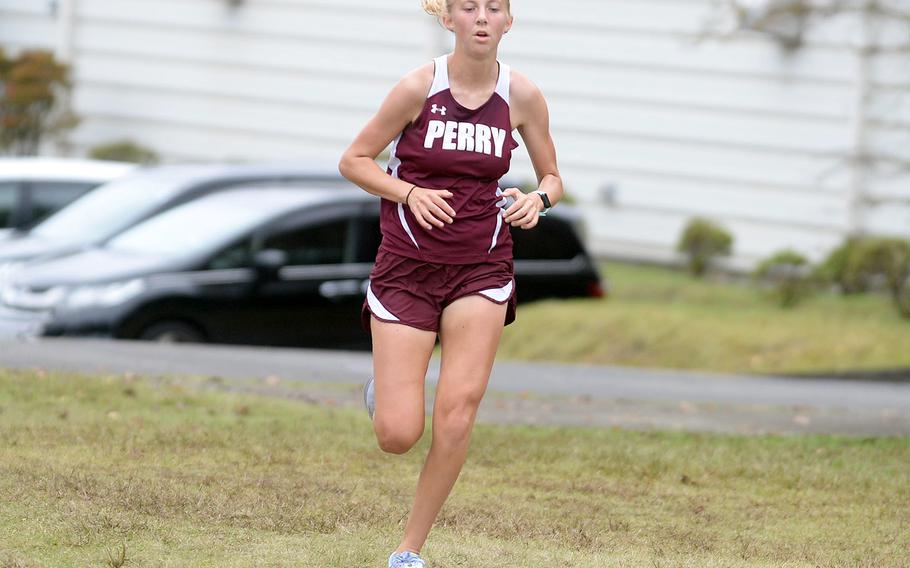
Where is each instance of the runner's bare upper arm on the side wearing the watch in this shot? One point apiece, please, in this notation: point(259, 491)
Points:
point(533, 123)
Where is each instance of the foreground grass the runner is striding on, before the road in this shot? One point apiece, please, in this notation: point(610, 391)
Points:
point(95, 467)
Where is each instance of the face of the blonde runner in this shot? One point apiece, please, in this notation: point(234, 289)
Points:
point(479, 24)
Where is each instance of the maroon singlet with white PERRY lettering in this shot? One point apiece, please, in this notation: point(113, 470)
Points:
point(465, 151)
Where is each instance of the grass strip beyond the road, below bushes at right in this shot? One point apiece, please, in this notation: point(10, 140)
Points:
point(657, 317)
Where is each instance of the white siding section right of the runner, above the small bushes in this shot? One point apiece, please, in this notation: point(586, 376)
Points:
point(654, 126)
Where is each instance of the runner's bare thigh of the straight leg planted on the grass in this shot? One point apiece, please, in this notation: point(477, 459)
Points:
point(470, 331)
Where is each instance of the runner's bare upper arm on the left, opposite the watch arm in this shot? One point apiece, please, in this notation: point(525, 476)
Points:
point(401, 106)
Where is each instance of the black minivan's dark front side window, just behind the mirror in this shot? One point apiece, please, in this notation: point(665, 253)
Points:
point(324, 243)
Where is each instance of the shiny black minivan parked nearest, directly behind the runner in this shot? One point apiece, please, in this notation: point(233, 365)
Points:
point(253, 265)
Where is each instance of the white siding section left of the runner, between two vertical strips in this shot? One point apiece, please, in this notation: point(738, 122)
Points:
point(268, 80)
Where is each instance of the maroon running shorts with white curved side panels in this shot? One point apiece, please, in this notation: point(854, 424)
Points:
point(413, 292)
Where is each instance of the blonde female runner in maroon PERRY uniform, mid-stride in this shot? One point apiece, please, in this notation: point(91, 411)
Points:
point(445, 262)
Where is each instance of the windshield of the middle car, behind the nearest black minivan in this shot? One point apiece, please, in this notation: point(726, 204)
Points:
point(106, 210)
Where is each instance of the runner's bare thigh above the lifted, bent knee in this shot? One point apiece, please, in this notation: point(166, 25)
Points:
point(401, 355)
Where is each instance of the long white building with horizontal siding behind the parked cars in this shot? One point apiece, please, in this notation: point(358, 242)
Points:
point(652, 124)
